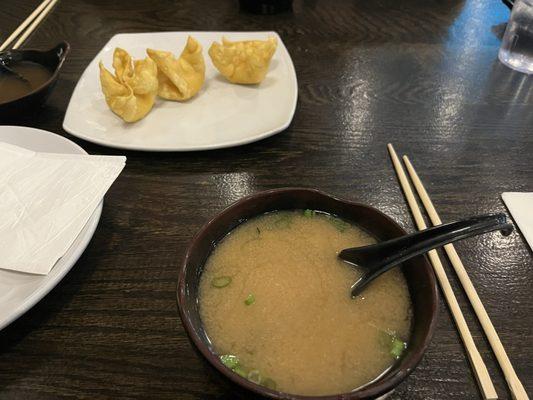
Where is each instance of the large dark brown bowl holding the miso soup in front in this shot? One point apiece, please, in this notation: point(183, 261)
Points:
point(419, 275)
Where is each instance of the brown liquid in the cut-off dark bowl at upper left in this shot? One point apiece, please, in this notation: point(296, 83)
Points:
point(12, 87)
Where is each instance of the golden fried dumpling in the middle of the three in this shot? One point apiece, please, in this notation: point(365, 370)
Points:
point(180, 78)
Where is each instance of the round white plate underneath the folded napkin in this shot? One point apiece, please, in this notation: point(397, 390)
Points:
point(19, 291)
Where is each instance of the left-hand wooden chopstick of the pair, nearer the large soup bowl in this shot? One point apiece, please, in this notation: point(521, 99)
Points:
point(480, 370)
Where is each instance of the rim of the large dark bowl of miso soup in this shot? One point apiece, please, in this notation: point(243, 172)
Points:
point(376, 390)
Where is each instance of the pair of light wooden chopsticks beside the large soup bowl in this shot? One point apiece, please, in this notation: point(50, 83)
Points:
point(484, 381)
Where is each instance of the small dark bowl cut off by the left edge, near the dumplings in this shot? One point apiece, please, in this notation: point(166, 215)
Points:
point(51, 59)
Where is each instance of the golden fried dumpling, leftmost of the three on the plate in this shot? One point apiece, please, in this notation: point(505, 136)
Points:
point(131, 92)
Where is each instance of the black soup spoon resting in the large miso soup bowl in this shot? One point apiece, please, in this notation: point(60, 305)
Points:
point(379, 258)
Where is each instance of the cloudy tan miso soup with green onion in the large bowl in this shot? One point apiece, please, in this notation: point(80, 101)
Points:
point(274, 294)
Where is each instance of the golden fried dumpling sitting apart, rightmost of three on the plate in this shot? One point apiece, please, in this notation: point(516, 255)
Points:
point(243, 62)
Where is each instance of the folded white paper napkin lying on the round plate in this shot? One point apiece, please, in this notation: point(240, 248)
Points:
point(45, 201)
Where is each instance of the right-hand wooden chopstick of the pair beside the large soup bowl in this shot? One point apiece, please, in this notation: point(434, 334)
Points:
point(517, 390)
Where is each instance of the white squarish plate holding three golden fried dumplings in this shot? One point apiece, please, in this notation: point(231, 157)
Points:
point(220, 115)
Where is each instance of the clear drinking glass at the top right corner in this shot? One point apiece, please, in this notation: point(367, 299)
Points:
point(516, 50)
